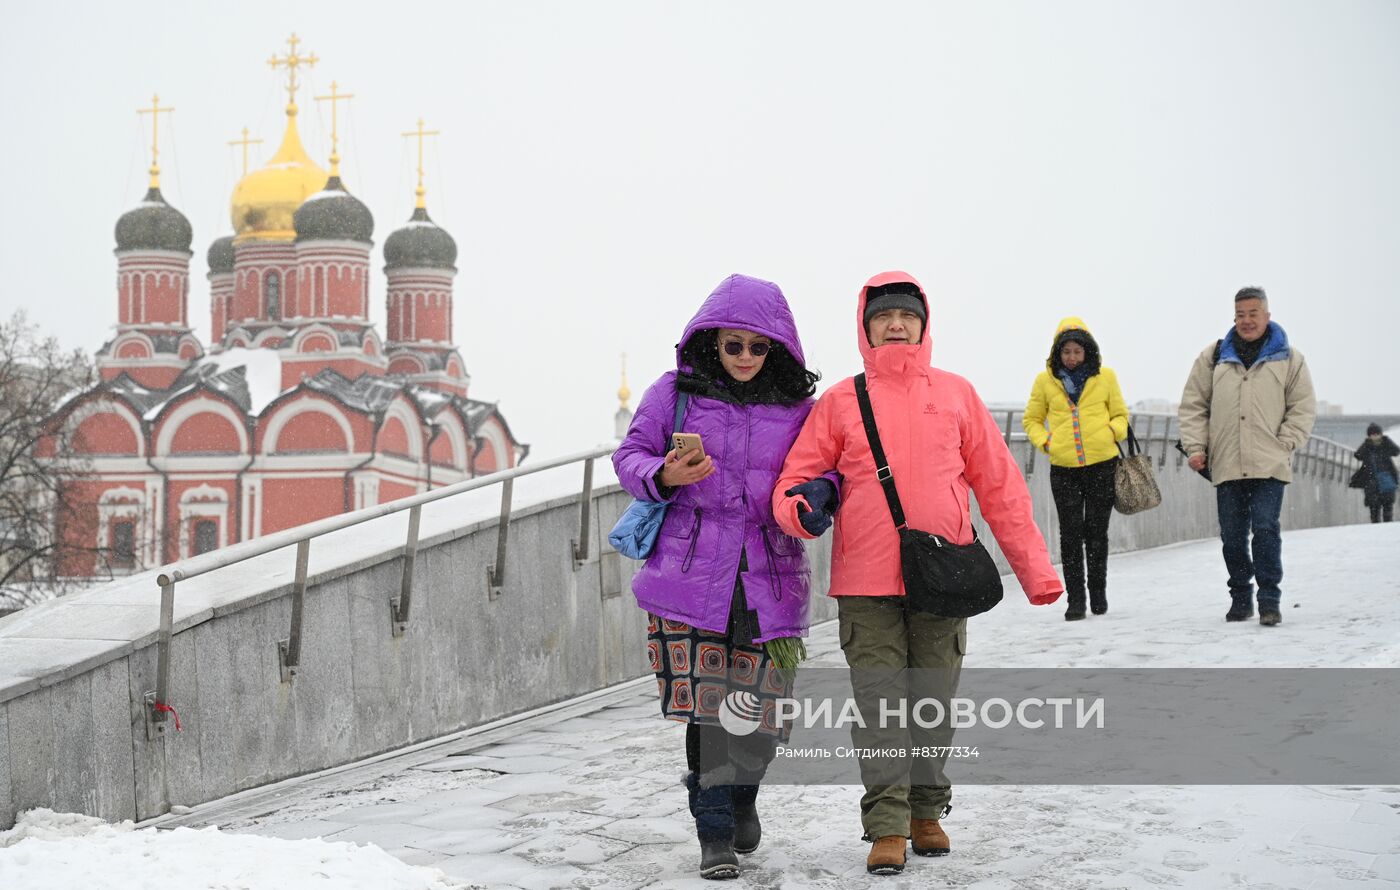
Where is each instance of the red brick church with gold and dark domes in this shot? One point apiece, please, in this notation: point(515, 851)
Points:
point(297, 409)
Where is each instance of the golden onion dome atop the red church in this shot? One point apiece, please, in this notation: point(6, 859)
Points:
point(267, 199)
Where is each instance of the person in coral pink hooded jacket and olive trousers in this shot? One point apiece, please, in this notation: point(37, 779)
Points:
point(943, 446)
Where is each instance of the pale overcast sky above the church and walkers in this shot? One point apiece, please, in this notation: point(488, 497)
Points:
point(604, 166)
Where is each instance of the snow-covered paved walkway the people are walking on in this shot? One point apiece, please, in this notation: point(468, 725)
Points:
point(587, 794)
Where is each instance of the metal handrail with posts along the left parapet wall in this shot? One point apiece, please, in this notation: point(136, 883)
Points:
point(289, 650)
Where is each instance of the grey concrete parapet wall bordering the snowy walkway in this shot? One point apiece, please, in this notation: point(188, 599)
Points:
point(73, 674)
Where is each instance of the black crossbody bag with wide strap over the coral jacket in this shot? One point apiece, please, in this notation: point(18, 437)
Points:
point(943, 579)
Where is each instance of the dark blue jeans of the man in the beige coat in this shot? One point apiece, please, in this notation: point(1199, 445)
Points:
point(1252, 506)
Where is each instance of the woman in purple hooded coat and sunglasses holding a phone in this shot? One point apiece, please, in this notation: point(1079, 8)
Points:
point(723, 579)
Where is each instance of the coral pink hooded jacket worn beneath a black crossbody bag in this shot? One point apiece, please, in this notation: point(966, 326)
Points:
point(941, 444)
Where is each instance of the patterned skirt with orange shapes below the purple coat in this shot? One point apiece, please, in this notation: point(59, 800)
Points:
point(706, 678)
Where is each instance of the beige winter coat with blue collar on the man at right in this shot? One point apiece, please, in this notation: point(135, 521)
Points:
point(1248, 423)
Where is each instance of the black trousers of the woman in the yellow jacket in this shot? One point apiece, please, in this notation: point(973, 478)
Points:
point(1084, 502)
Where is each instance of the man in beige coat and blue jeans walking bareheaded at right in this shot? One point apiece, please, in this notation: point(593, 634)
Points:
point(1247, 407)
